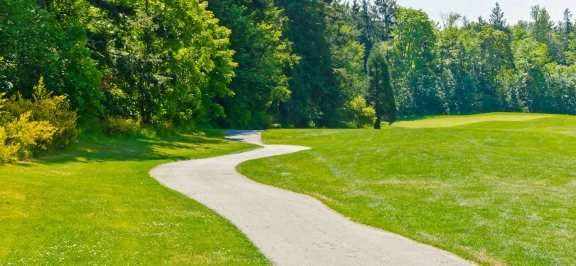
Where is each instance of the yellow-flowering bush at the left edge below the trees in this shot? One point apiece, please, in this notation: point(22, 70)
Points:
point(45, 107)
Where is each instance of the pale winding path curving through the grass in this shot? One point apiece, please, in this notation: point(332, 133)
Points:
point(290, 228)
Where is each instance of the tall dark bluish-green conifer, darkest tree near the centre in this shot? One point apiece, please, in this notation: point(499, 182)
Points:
point(316, 97)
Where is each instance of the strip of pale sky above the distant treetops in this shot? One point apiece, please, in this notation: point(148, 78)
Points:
point(514, 10)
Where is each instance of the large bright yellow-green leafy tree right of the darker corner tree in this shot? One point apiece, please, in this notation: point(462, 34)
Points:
point(162, 62)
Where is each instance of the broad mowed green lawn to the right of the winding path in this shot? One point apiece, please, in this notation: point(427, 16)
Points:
point(495, 192)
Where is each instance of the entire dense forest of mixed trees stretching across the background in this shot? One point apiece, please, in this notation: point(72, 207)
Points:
point(302, 63)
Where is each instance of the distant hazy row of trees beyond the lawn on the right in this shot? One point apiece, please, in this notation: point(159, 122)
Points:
point(462, 66)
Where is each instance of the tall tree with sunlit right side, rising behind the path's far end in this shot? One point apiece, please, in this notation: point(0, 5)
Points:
point(262, 53)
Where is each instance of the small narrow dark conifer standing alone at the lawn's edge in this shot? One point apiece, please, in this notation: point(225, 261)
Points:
point(380, 93)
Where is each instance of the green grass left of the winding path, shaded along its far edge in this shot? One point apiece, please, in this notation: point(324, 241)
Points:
point(97, 204)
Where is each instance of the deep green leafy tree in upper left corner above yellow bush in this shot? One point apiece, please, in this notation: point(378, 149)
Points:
point(34, 44)
